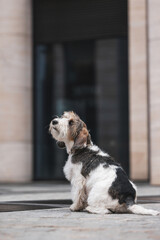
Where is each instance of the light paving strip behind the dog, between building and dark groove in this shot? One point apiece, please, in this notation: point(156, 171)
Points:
point(42, 191)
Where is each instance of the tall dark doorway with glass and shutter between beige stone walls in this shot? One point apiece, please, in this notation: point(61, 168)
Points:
point(86, 72)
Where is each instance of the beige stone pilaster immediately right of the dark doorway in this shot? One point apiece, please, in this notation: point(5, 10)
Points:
point(138, 90)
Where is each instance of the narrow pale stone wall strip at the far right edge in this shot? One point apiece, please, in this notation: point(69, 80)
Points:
point(154, 88)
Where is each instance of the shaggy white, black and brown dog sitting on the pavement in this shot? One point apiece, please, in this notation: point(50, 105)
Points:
point(98, 183)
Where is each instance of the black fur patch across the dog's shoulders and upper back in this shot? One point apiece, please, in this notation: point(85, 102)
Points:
point(90, 160)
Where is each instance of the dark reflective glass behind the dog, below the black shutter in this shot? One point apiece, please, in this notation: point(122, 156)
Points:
point(90, 78)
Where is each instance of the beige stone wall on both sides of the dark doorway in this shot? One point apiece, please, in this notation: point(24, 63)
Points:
point(16, 90)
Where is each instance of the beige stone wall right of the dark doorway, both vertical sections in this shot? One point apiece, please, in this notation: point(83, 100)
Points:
point(144, 80)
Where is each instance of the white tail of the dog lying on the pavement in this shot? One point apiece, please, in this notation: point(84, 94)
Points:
point(136, 209)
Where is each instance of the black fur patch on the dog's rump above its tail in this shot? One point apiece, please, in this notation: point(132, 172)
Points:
point(122, 189)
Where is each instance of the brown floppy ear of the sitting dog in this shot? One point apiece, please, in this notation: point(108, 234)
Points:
point(82, 140)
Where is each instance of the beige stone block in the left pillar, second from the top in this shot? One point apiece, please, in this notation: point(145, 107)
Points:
point(15, 60)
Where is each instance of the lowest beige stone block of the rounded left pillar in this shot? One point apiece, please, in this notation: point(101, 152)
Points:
point(15, 162)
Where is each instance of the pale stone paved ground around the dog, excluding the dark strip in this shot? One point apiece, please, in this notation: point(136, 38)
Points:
point(62, 224)
